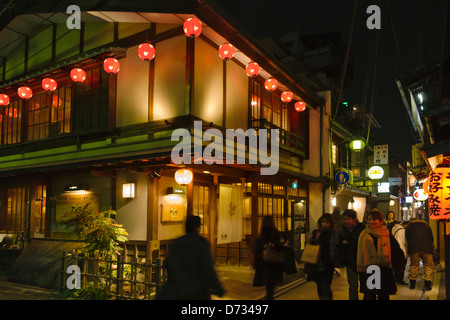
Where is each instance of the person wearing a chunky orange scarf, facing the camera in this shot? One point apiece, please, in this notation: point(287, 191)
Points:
point(374, 248)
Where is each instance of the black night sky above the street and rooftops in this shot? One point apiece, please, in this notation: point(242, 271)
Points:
point(411, 35)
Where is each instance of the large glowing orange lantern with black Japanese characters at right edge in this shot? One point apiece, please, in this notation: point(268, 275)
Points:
point(439, 193)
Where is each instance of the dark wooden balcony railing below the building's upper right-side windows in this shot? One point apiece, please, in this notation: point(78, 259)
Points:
point(288, 141)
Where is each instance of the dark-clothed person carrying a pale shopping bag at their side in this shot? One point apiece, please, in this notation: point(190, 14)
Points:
point(322, 273)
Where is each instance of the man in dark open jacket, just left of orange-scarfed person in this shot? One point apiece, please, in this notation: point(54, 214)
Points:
point(348, 245)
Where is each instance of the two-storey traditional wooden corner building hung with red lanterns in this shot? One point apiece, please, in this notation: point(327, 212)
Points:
point(86, 141)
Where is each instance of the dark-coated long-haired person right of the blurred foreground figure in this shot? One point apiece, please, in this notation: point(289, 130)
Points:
point(268, 272)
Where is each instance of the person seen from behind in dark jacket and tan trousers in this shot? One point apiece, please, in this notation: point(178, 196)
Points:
point(420, 246)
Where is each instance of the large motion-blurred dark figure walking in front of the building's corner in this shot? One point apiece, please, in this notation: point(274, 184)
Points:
point(190, 270)
